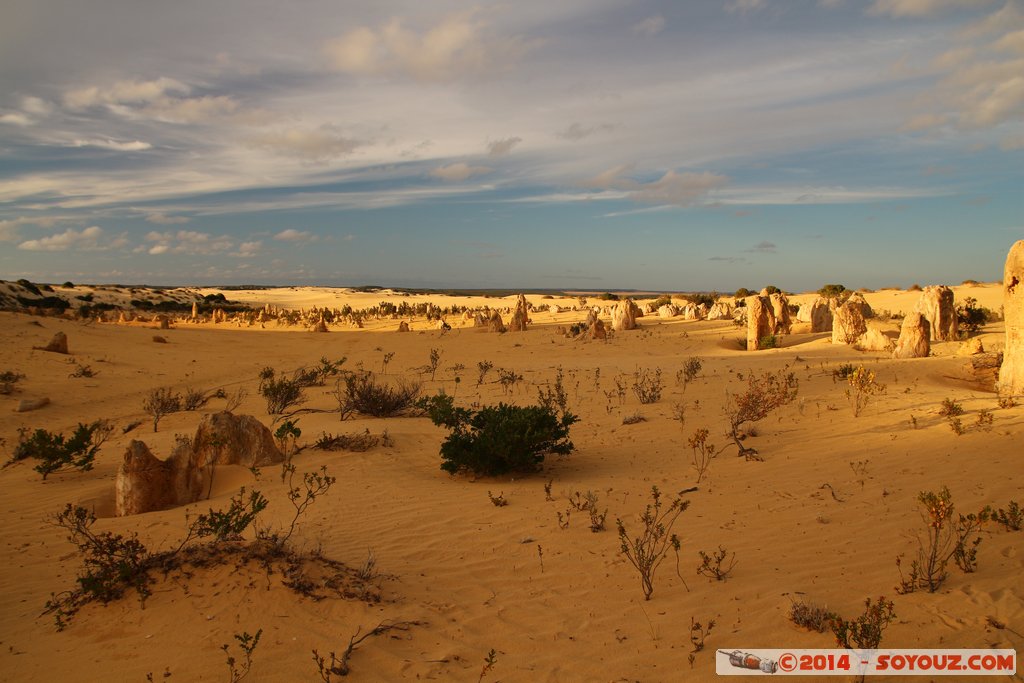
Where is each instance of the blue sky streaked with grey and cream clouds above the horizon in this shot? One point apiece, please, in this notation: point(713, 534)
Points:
point(580, 145)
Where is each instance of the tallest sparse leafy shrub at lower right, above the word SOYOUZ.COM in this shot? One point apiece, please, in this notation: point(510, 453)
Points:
point(948, 538)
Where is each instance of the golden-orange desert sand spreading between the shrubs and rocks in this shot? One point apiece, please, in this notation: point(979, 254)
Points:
point(471, 572)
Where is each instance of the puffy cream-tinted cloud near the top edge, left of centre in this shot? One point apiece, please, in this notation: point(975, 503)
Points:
point(459, 46)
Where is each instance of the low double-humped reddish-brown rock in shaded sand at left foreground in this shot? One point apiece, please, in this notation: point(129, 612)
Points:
point(146, 484)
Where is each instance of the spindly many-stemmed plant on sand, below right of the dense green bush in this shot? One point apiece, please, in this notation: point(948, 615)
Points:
point(648, 550)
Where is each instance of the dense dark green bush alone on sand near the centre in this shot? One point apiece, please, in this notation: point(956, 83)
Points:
point(499, 440)
